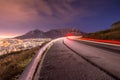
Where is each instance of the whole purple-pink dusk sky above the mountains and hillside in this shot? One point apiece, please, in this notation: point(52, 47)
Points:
point(20, 16)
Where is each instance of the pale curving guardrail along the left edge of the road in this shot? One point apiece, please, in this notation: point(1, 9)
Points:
point(28, 73)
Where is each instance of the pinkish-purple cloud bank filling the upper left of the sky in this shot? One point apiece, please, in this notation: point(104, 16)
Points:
point(45, 11)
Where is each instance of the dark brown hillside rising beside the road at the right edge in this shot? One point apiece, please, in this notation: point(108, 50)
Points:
point(113, 33)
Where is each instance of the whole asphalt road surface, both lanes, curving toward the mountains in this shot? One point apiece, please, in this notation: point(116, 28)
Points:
point(78, 60)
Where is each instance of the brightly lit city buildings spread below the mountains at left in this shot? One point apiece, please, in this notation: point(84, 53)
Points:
point(13, 45)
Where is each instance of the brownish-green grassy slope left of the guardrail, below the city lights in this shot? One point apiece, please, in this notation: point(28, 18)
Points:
point(13, 64)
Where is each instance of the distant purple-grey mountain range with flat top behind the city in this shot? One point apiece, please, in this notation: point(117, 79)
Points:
point(54, 33)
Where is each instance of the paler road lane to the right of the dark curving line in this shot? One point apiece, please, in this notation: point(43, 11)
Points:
point(105, 57)
